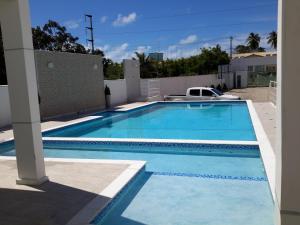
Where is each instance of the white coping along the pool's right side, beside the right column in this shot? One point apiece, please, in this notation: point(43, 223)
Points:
point(266, 150)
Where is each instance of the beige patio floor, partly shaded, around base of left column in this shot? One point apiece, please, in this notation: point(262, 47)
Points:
point(72, 186)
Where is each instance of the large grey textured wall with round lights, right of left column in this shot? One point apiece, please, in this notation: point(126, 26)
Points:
point(69, 83)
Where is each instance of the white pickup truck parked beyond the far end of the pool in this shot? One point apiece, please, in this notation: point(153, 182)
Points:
point(201, 93)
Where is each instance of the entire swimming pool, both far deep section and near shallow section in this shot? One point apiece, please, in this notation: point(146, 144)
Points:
point(183, 183)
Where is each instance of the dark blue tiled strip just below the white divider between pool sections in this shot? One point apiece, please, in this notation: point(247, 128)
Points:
point(157, 147)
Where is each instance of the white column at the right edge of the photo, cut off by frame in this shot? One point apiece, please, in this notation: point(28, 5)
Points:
point(288, 114)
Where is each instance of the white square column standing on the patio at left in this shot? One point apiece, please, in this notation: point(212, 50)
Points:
point(22, 85)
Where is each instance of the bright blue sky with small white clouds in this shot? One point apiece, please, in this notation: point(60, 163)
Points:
point(178, 28)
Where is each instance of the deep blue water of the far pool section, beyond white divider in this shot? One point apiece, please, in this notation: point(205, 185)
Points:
point(198, 121)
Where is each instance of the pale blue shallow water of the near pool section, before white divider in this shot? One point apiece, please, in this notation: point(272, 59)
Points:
point(182, 184)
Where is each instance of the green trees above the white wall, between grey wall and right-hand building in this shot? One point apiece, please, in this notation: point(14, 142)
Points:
point(206, 62)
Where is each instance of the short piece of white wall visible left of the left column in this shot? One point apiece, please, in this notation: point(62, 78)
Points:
point(4, 106)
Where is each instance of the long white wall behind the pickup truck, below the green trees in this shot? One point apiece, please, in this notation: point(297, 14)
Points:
point(178, 85)
